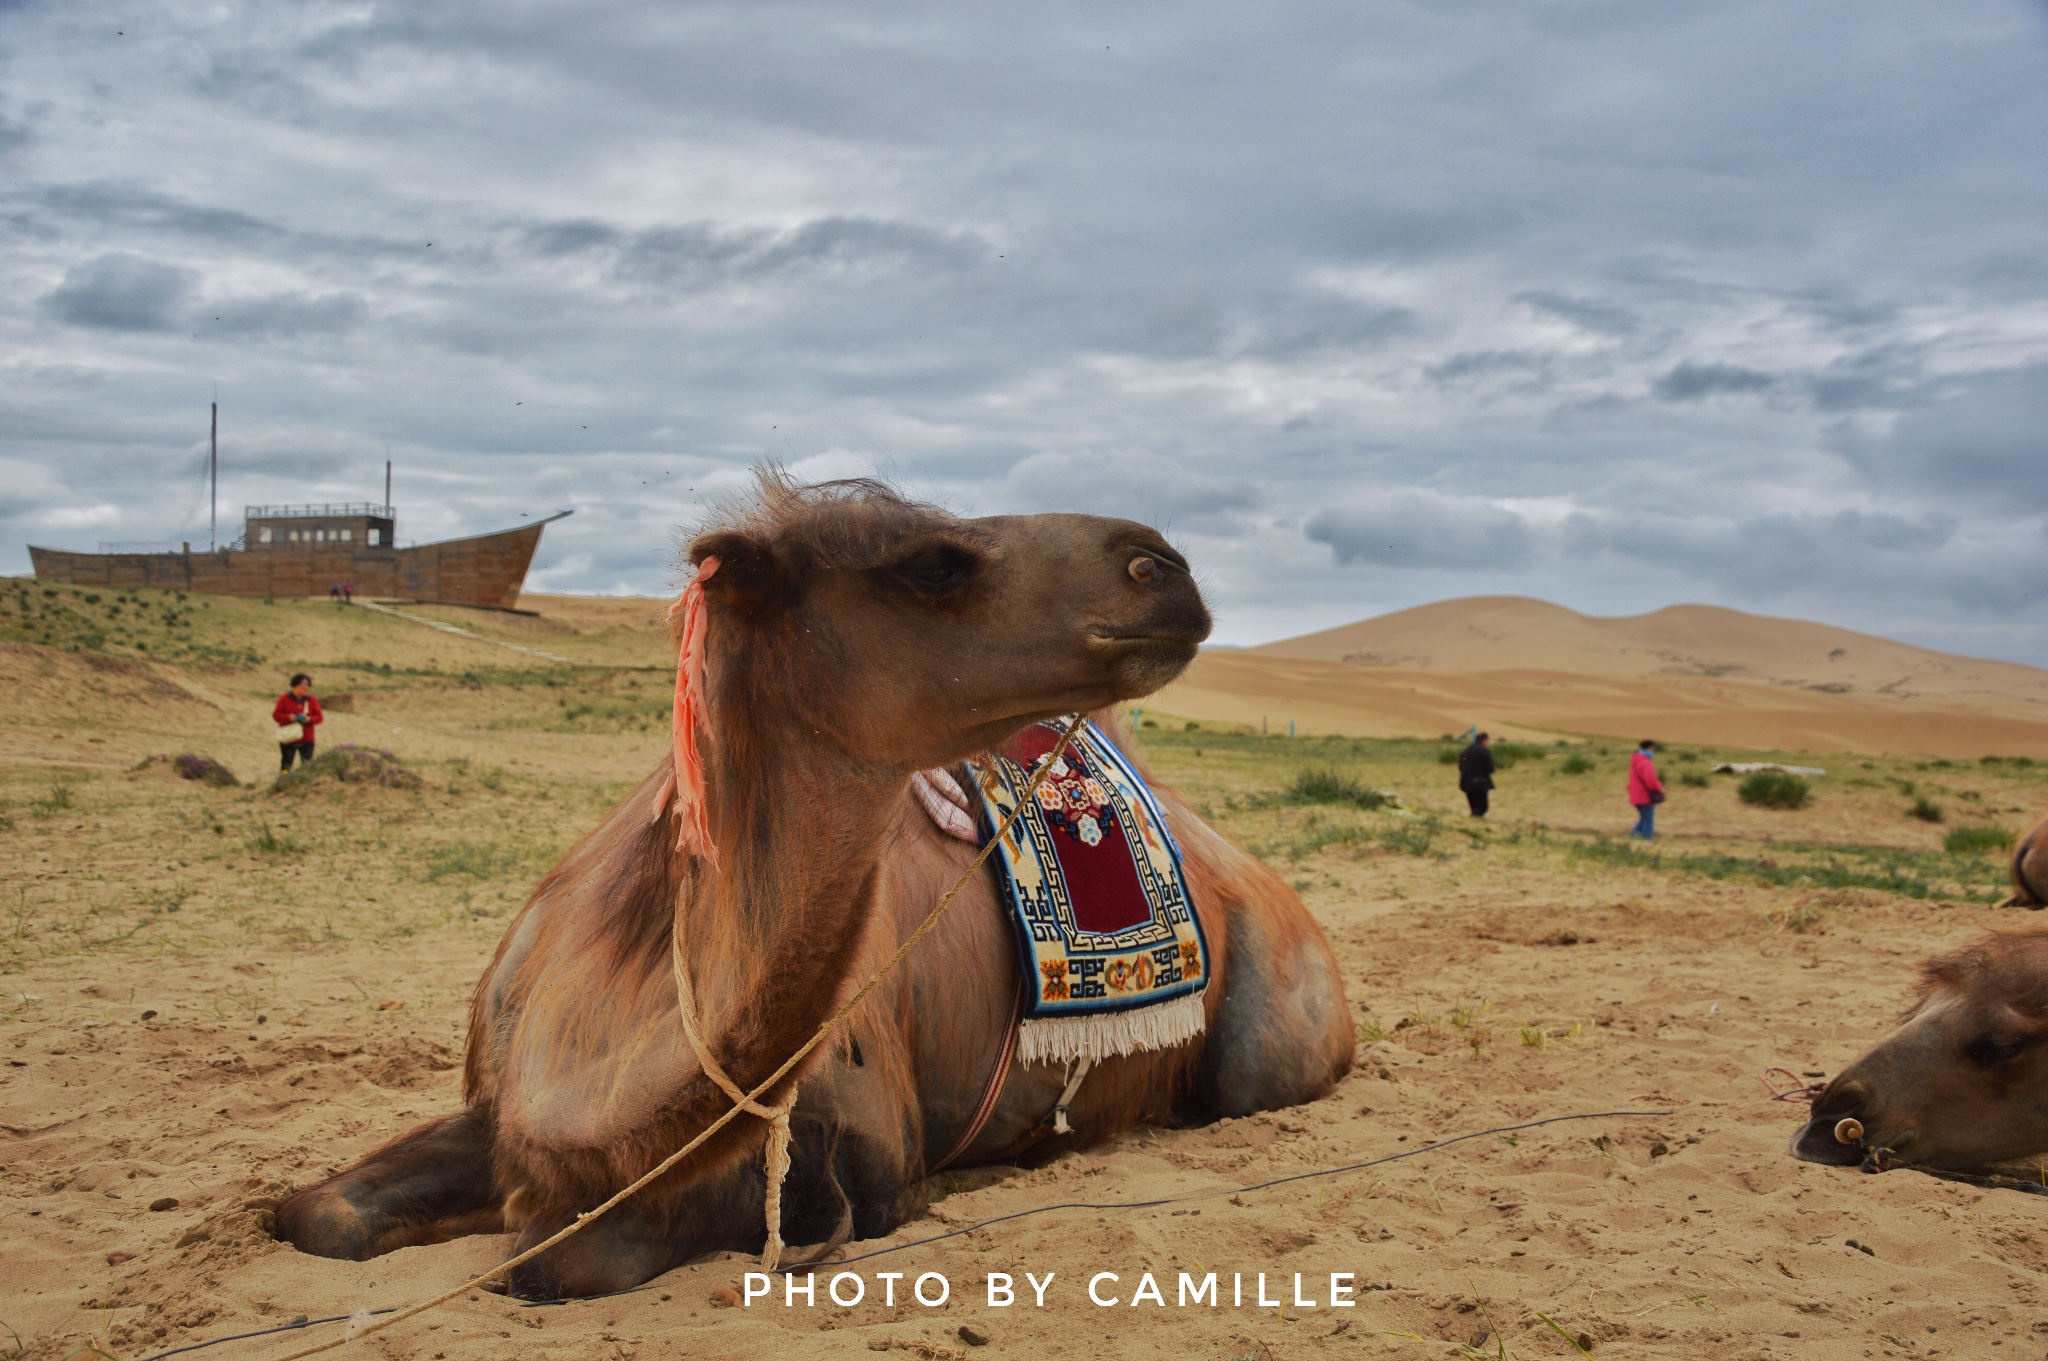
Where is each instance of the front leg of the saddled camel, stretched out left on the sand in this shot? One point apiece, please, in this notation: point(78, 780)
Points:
point(427, 1186)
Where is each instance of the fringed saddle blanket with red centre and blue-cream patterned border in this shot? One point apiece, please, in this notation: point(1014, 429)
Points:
point(1107, 938)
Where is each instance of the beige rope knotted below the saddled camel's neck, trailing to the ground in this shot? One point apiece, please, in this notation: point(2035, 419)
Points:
point(744, 1102)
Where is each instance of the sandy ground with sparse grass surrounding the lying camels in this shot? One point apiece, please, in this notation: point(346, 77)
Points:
point(214, 996)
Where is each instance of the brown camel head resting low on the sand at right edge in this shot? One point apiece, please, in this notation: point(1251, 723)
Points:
point(1963, 1082)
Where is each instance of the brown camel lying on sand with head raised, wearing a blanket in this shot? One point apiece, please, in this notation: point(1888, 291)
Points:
point(851, 640)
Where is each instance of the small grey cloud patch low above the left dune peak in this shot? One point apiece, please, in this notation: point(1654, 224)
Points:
point(1424, 529)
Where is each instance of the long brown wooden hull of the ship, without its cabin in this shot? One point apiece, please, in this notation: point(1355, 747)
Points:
point(470, 572)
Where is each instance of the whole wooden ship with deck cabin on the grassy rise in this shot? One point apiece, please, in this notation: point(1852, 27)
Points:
point(308, 550)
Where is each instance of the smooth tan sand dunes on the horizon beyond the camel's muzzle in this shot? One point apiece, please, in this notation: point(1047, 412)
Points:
point(1693, 674)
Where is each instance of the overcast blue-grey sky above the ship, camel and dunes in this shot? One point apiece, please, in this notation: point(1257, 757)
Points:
point(1617, 304)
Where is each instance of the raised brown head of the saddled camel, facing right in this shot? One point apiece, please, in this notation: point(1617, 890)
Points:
point(910, 638)
